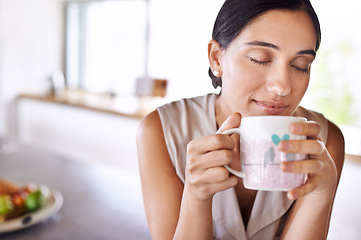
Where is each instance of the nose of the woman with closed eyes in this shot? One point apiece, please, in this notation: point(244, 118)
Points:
point(279, 81)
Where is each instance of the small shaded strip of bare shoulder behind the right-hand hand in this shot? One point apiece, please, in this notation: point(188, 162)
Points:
point(336, 145)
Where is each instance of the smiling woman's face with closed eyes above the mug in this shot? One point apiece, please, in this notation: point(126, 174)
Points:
point(266, 69)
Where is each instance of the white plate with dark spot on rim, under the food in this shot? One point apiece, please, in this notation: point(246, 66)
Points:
point(27, 220)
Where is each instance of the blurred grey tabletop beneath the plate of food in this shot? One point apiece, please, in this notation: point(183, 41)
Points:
point(100, 202)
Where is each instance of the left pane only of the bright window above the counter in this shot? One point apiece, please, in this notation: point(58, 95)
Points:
point(105, 45)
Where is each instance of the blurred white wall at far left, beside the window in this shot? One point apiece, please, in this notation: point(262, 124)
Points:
point(31, 47)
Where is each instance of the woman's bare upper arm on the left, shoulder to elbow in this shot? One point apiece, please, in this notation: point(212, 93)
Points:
point(162, 189)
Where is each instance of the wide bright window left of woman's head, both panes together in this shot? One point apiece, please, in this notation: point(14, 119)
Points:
point(106, 44)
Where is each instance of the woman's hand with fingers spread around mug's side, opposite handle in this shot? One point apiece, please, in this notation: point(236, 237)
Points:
point(319, 166)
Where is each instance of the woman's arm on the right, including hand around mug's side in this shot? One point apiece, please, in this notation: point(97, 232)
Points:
point(310, 214)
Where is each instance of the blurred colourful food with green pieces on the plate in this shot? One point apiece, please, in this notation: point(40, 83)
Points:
point(16, 200)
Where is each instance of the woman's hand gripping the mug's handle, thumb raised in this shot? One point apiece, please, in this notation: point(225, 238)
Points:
point(206, 157)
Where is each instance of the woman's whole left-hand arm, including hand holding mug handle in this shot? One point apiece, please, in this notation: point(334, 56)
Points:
point(174, 210)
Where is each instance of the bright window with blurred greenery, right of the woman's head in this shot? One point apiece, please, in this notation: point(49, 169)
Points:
point(335, 79)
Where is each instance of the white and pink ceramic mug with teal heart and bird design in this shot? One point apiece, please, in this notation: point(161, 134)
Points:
point(260, 157)
